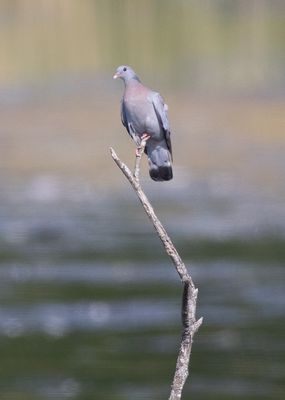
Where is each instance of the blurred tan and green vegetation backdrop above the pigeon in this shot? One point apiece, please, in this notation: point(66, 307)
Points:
point(210, 44)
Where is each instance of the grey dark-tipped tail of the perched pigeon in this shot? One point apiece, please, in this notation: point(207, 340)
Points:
point(160, 163)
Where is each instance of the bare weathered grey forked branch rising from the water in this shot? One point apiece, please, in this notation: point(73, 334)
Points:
point(189, 299)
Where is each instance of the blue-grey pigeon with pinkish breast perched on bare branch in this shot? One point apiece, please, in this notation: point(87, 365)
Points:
point(144, 115)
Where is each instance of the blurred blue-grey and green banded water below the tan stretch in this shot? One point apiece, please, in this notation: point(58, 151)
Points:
point(87, 298)
